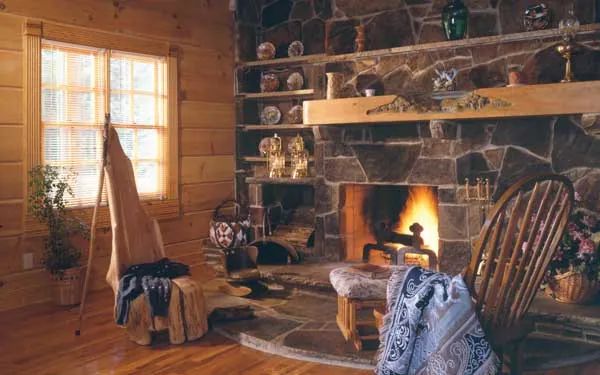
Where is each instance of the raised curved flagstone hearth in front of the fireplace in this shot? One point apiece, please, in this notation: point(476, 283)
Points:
point(295, 317)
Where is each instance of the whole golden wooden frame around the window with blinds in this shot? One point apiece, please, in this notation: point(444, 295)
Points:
point(33, 33)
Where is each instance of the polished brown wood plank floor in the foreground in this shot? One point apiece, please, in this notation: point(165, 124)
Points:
point(40, 340)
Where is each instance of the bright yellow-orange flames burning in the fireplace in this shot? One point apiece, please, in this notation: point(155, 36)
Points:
point(421, 207)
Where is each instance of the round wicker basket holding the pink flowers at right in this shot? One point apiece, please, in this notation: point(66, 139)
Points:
point(572, 287)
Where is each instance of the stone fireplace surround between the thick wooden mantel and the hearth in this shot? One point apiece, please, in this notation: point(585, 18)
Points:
point(407, 154)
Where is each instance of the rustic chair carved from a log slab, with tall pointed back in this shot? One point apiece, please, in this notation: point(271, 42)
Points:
point(137, 239)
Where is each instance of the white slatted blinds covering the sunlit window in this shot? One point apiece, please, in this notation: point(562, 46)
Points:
point(79, 85)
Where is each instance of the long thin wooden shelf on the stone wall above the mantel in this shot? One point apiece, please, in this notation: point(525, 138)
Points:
point(472, 42)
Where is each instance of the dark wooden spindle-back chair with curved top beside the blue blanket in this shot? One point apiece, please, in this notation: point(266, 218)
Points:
point(515, 246)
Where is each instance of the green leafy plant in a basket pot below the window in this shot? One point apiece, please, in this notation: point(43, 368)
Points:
point(48, 188)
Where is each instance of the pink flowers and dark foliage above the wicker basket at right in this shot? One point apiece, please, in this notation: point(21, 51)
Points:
point(579, 248)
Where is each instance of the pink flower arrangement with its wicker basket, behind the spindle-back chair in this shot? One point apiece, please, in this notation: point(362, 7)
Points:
point(573, 274)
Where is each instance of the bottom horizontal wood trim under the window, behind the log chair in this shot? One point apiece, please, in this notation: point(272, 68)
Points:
point(166, 209)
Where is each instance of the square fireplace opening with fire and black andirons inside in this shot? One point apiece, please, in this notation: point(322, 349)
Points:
point(379, 220)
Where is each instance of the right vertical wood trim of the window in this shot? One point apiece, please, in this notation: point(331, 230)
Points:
point(173, 167)
